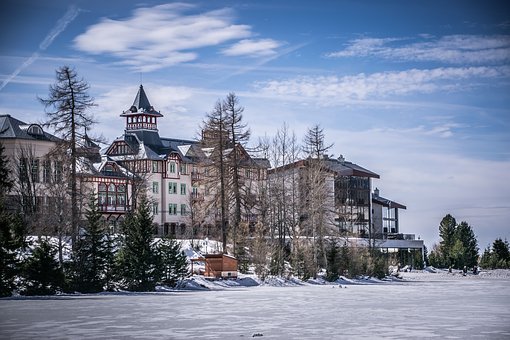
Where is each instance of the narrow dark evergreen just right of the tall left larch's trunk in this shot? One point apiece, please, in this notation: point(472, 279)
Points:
point(93, 254)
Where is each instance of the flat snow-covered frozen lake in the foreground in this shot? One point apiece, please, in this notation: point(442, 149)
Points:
point(443, 308)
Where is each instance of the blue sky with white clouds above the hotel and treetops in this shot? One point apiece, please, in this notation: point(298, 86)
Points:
point(418, 92)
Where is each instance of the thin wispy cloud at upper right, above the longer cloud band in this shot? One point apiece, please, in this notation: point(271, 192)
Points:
point(452, 49)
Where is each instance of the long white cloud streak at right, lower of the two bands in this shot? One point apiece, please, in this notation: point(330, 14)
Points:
point(380, 85)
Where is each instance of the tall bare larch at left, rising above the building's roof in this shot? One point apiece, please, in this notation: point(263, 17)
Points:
point(69, 101)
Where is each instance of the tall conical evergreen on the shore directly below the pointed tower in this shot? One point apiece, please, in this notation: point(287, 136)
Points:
point(137, 259)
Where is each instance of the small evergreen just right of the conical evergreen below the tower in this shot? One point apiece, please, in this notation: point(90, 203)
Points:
point(173, 263)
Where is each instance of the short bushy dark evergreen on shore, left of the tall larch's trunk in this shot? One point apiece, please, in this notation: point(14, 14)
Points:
point(41, 271)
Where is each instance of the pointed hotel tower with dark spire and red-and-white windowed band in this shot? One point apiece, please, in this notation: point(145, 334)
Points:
point(141, 119)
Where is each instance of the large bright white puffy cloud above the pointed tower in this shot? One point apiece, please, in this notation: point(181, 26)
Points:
point(157, 37)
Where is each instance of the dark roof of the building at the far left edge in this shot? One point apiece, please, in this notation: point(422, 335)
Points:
point(13, 128)
